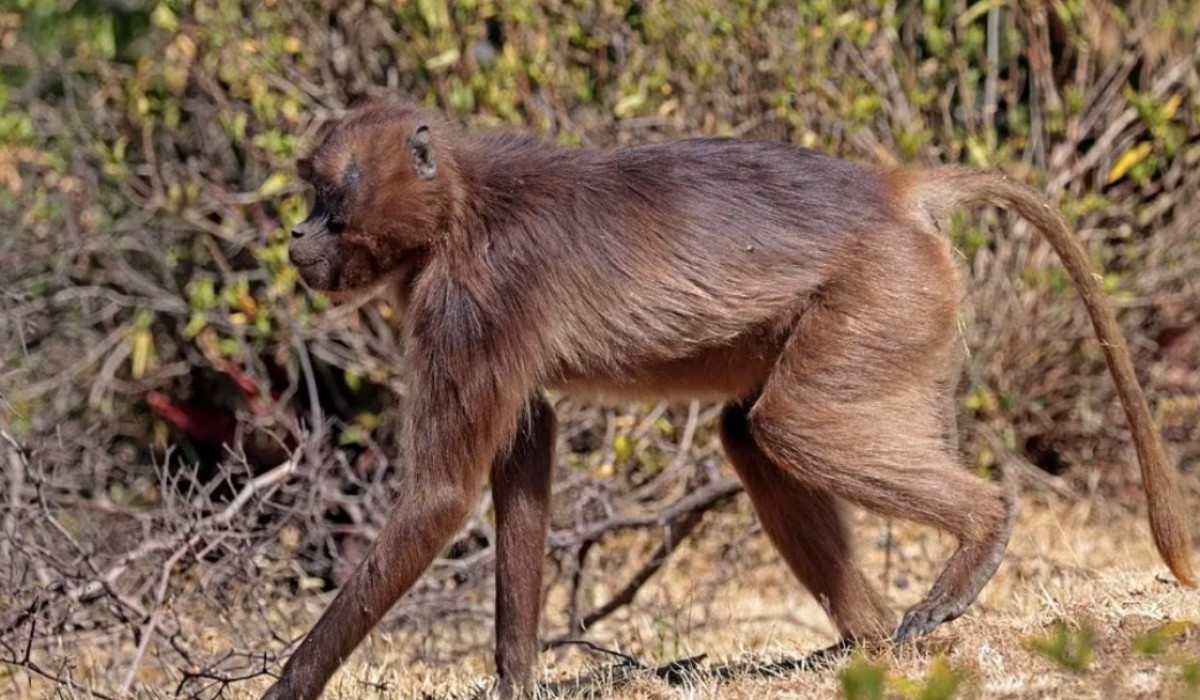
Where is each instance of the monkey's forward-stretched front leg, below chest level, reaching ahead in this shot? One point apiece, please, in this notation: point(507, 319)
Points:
point(446, 471)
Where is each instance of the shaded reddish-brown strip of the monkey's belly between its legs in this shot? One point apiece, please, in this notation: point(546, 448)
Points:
point(713, 375)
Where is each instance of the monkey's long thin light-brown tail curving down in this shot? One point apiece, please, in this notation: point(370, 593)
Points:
point(939, 190)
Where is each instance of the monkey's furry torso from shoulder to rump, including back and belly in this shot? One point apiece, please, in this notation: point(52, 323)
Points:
point(680, 261)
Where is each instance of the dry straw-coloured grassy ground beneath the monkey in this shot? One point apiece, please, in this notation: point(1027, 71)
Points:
point(1075, 564)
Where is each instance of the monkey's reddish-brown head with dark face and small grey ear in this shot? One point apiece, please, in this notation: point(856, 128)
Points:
point(385, 188)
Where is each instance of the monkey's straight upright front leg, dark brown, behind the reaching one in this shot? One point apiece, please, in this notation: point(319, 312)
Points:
point(521, 489)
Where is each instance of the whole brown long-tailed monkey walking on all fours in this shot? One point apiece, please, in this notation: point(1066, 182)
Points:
point(819, 298)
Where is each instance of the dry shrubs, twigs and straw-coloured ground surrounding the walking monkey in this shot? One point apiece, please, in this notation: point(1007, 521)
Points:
point(195, 450)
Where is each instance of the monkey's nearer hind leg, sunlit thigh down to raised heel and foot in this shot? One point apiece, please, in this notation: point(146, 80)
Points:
point(854, 409)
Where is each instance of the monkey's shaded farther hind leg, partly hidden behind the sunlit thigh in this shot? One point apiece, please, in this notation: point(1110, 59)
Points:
point(809, 533)
